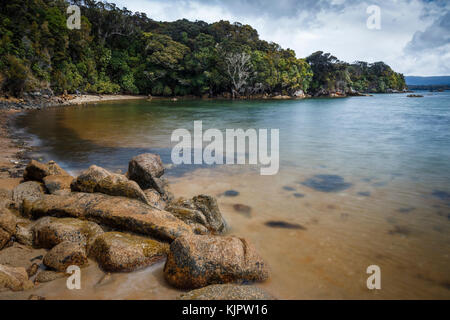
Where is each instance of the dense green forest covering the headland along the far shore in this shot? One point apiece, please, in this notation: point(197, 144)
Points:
point(116, 50)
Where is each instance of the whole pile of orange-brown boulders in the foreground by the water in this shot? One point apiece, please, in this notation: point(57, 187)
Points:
point(123, 223)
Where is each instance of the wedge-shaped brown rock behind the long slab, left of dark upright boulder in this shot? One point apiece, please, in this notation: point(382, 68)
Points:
point(97, 179)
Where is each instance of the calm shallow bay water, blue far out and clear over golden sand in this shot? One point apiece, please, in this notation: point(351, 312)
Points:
point(362, 181)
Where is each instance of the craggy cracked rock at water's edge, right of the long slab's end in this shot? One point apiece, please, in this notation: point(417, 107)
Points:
point(201, 210)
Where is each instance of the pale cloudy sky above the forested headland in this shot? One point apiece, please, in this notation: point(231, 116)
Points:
point(413, 38)
